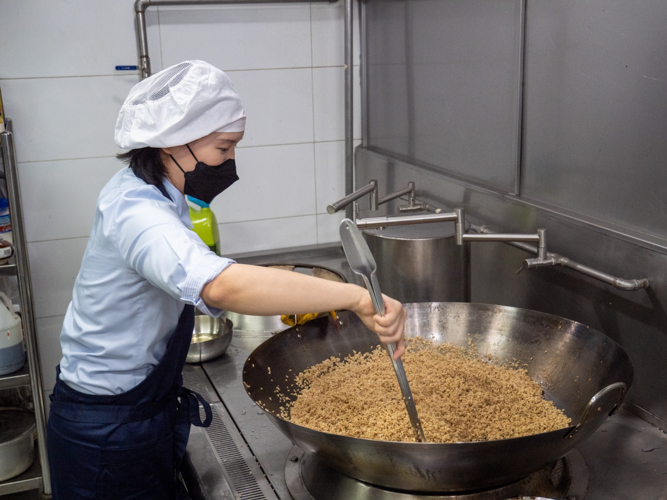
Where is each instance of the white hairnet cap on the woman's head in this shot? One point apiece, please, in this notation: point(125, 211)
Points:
point(178, 105)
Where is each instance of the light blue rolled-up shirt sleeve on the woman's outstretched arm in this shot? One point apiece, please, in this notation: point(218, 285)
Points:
point(155, 243)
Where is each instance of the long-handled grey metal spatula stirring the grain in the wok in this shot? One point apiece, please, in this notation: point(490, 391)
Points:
point(361, 261)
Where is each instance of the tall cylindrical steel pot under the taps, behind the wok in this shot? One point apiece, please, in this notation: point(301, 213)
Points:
point(419, 263)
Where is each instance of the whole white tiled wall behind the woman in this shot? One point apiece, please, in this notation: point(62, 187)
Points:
point(59, 86)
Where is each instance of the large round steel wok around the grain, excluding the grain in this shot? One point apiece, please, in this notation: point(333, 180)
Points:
point(582, 371)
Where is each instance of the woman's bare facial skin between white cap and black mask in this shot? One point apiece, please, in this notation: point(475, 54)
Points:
point(213, 150)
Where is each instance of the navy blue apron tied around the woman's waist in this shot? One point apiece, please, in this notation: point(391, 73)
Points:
point(126, 446)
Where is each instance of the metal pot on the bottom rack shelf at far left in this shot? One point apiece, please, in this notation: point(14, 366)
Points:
point(17, 443)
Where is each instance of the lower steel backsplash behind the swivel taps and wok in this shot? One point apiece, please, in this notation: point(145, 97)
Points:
point(637, 320)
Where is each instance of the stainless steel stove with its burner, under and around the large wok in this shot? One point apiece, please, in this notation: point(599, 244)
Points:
point(242, 456)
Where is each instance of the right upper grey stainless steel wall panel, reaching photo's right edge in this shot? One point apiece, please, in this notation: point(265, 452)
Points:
point(596, 109)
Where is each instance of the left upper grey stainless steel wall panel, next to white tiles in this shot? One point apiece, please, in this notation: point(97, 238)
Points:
point(443, 79)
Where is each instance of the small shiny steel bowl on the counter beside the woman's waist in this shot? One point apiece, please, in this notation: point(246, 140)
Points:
point(210, 339)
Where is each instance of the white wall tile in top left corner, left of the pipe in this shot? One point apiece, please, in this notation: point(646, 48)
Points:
point(47, 38)
